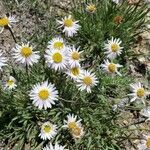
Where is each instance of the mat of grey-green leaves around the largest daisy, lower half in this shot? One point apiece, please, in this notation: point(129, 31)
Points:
point(95, 109)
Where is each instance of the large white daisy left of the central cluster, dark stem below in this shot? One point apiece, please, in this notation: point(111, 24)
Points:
point(24, 54)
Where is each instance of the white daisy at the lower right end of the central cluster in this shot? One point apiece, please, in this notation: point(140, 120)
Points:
point(86, 81)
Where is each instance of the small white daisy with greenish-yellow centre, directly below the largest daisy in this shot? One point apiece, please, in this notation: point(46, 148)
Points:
point(48, 131)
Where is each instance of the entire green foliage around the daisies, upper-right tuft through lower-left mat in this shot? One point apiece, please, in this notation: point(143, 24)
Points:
point(21, 121)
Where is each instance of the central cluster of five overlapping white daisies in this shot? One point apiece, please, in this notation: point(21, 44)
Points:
point(67, 59)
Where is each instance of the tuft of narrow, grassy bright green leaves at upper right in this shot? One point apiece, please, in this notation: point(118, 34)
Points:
point(99, 26)
